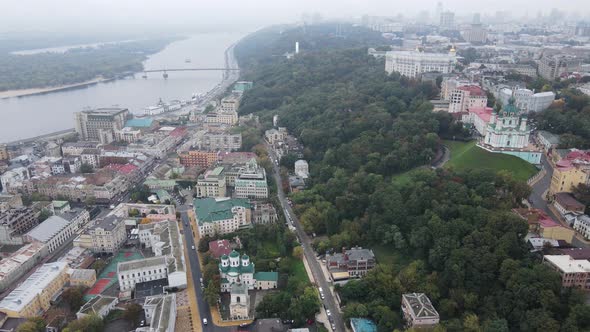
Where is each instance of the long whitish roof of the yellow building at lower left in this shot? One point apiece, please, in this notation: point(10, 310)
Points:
point(33, 285)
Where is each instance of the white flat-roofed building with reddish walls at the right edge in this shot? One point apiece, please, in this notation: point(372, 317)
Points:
point(574, 272)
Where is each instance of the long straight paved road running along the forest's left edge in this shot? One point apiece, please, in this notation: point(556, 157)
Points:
point(316, 270)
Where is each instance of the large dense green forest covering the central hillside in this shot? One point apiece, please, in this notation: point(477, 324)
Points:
point(446, 233)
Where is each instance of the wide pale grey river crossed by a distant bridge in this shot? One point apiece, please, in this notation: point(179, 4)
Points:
point(36, 115)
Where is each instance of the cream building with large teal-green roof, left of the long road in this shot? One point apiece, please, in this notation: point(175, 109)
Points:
point(222, 216)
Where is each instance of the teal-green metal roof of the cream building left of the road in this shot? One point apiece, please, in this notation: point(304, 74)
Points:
point(209, 209)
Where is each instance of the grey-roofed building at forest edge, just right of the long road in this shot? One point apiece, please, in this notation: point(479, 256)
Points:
point(356, 261)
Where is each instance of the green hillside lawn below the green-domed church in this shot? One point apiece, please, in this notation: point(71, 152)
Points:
point(468, 155)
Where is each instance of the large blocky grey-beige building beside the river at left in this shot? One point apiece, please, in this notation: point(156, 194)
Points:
point(100, 123)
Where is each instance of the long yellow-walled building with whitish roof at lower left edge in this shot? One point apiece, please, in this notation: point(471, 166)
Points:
point(34, 295)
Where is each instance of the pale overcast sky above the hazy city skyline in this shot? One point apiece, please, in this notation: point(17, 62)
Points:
point(22, 15)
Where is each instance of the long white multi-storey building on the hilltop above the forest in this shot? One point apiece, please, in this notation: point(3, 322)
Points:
point(414, 63)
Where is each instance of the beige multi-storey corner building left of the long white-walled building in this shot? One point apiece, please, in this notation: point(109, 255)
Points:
point(107, 234)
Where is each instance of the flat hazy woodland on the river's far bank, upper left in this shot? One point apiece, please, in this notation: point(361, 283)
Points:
point(76, 65)
